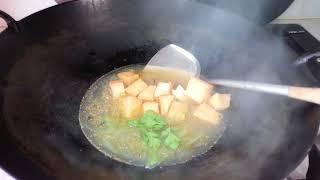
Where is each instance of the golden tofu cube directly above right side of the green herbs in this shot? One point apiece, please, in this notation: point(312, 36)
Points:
point(177, 112)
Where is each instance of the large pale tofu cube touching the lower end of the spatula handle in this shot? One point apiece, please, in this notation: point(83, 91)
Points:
point(198, 90)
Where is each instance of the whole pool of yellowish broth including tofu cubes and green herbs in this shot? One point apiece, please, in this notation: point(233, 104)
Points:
point(150, 118)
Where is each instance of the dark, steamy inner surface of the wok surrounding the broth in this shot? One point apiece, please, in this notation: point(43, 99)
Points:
point(47, 68)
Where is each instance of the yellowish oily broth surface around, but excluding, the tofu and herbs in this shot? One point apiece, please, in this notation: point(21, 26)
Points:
point(108, 132)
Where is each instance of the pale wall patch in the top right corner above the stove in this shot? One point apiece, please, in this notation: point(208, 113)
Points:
point(302, 9)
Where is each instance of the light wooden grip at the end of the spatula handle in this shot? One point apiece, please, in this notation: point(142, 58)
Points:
point(305, 94)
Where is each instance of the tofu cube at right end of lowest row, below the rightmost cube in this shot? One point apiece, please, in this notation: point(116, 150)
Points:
point(206, 113)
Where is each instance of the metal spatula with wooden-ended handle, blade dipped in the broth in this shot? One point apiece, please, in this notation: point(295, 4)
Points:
point(173, 56)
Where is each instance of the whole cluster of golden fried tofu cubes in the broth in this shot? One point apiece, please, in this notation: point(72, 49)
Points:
point(137, 97)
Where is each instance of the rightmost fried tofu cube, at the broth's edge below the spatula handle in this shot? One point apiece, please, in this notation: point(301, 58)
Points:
point(220, 101)
